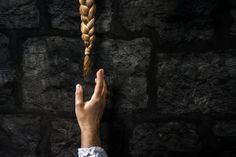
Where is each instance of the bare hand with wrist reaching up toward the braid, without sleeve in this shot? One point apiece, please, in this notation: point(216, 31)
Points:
point(89, 113)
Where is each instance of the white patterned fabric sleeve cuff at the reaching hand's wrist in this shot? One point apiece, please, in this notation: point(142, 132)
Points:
point(95, 151)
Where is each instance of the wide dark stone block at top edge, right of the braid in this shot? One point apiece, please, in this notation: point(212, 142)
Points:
point(177, 22)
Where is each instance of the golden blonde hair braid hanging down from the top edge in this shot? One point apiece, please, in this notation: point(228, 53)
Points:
point(87, 12)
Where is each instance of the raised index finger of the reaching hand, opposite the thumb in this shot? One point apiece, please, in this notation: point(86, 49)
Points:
point(99, 84)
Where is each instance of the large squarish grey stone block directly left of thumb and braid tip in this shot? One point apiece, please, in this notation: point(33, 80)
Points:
point(52, 67)
